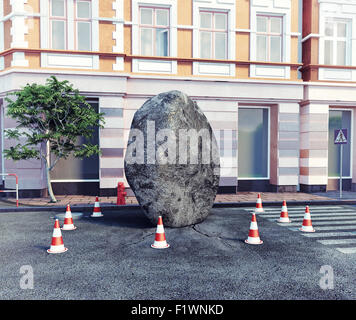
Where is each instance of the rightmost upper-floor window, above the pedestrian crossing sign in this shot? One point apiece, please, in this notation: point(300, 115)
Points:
point(337, 42)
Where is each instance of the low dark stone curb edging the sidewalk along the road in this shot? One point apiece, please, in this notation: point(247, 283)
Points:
point(89, 208)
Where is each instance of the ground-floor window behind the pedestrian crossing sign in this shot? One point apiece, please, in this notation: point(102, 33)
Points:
point(339, 119)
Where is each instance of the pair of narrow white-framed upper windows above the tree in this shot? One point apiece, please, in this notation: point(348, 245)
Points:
point(59, 24)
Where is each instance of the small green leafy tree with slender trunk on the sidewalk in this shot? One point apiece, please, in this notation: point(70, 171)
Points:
point(50, 119)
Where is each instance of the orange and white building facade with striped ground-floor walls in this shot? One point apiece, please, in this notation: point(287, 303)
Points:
point(273, 77)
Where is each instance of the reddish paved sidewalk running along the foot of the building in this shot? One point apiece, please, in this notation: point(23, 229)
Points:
point(241, 199)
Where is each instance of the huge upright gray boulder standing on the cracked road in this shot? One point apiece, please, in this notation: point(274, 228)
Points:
point(166, 180)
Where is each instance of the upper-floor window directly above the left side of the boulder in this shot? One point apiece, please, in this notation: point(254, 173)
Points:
point(154, 31)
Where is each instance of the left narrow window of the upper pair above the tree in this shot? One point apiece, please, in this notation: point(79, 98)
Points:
point(58, 24)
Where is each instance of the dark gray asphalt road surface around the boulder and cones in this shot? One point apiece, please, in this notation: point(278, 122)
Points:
point(111, 258)
